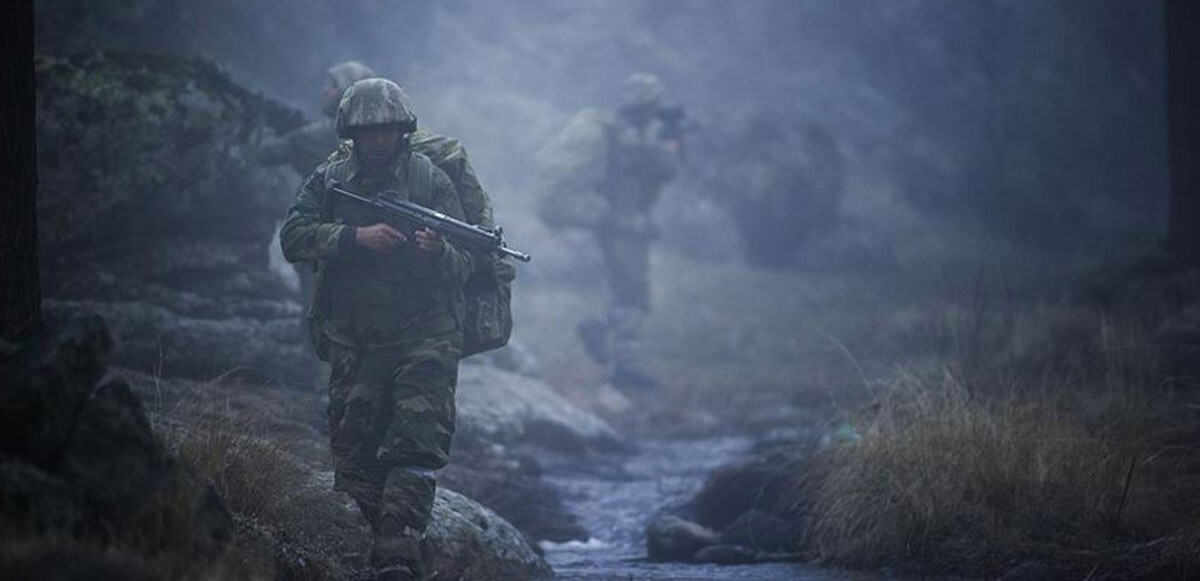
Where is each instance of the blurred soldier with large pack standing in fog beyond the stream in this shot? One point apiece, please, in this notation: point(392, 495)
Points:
point(604, 173)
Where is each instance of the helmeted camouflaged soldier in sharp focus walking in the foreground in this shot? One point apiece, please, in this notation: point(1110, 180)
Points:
point(388, 310)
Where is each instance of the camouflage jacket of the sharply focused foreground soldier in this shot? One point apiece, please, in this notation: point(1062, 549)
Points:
point(365, 297)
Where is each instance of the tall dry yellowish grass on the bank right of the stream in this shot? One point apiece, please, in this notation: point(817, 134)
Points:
point(1045, 435)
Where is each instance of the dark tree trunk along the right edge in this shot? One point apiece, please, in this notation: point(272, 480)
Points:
point(1184, 127)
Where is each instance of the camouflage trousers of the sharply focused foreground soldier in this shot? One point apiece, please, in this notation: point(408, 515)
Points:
point(392, 417)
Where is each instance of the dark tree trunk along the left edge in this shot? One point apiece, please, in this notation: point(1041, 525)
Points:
point(21, 296)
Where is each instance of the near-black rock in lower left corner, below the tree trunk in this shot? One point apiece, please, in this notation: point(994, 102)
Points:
point(80, 459)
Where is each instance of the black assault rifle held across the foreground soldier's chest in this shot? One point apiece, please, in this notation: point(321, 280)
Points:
point(463, 235)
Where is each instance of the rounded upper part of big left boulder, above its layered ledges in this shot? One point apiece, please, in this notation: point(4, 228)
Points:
point(167, 142)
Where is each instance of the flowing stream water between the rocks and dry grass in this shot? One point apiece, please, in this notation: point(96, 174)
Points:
point(616, 499)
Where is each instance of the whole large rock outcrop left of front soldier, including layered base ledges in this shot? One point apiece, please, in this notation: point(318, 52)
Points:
point(154, 212)
